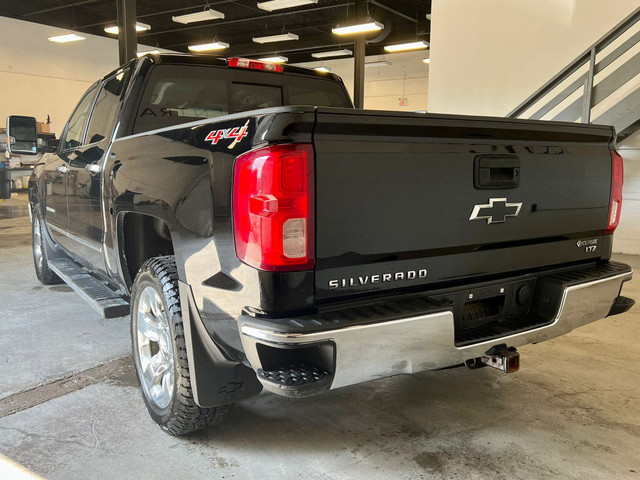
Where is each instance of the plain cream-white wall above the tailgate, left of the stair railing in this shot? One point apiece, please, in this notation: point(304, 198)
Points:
point(488, 56)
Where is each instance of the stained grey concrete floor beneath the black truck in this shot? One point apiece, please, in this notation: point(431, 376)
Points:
point(70, 406)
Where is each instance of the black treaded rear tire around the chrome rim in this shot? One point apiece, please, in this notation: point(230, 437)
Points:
point(182, 415)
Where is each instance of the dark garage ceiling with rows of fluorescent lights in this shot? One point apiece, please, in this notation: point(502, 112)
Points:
point(404, 21)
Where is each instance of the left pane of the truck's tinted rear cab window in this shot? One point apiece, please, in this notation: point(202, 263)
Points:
point(179, 94)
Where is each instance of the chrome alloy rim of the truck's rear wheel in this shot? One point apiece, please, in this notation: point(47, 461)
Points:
point(155, 348)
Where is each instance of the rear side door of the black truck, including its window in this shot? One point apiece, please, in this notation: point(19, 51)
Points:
point(84, 181)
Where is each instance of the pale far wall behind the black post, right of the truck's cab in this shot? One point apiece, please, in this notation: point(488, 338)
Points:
point(406, 78)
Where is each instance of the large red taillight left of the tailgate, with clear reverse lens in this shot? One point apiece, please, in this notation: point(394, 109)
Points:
point(273, 207)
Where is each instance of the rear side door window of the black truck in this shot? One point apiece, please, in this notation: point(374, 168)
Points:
point(105, 112)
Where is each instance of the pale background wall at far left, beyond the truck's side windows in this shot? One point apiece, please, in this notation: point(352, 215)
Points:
point(39, 77)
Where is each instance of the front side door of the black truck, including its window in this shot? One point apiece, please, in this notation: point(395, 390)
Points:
point(57, 168)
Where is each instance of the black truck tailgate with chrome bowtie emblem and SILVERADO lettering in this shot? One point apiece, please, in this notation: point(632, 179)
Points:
point(404, 200)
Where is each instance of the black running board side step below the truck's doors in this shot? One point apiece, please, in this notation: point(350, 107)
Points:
point(105, 300)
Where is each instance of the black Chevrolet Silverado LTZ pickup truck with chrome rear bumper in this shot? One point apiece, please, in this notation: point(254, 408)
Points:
point(262, 232)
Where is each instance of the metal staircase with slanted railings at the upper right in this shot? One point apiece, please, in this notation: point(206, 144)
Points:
point(600, 86)
